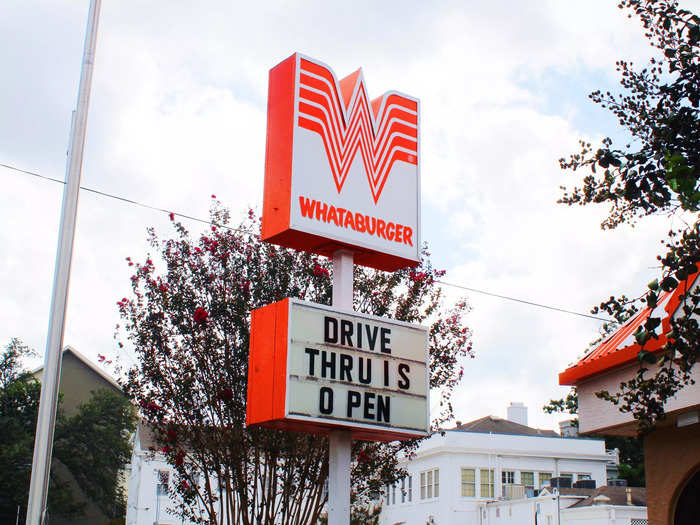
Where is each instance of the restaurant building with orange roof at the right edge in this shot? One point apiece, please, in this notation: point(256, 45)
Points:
point(671, 450)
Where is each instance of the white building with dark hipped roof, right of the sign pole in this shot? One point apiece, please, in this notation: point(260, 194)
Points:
point(475, 473)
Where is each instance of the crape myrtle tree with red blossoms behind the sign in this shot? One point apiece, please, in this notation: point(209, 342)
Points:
point(188, 321)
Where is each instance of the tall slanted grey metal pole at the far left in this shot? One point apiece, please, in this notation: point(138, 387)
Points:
point(43, 442)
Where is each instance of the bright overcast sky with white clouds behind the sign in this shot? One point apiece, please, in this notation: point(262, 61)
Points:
point(178, 113)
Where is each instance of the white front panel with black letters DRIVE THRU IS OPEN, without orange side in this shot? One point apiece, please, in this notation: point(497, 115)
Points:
point(356, 369)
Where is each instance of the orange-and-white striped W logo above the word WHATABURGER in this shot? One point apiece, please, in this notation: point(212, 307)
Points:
point(384, 131)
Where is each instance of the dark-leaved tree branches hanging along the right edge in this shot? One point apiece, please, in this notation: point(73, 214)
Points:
point(655, 173)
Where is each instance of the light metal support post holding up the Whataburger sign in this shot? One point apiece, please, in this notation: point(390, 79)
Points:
point(339, 441)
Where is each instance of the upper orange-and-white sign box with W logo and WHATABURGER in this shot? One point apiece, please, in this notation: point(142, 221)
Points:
point(341, 170)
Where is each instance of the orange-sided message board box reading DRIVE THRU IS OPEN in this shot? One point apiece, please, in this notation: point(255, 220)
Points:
point(313, 369)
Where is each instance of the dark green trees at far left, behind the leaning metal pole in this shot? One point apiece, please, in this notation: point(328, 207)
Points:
point(93, 444)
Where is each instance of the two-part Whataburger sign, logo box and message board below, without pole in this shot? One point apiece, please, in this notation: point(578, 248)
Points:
point(341, 173)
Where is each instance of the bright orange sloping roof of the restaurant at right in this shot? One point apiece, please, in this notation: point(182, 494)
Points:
point(621, 347)
